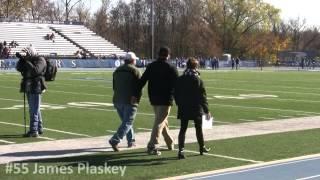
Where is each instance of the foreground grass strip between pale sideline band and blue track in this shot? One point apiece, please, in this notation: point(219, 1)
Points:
point(139, 165)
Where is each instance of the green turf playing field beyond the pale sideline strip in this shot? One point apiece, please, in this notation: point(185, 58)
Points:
point(78, 104)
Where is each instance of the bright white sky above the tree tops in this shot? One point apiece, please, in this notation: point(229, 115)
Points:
point(290, 9)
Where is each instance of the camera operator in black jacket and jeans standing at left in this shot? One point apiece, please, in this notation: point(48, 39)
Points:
point(32, 68)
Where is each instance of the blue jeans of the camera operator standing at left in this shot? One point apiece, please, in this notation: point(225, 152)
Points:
point(34, 101)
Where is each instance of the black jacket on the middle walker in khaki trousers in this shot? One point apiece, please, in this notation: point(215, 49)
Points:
point(161, 77)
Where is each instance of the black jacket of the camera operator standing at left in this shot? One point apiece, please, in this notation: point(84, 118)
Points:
point(32, 70)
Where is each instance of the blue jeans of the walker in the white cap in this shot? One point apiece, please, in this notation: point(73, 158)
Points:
point(127, 113)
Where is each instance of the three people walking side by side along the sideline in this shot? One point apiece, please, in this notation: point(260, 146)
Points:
point(164, 86)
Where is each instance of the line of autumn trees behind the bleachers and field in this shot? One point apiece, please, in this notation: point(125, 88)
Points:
point(250, 29)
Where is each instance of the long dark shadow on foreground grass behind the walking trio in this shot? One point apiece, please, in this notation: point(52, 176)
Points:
point(138, 158)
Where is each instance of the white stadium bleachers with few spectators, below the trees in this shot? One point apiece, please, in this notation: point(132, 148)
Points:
point(68, 39)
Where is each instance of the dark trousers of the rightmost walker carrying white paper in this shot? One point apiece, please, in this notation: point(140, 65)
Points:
point(183, 130)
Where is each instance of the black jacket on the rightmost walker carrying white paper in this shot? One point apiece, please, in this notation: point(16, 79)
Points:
point(191, 98)
